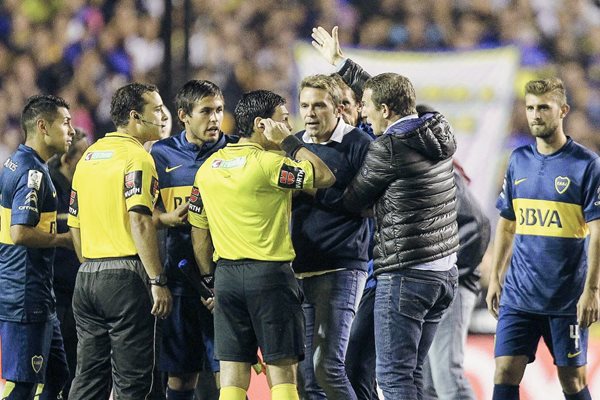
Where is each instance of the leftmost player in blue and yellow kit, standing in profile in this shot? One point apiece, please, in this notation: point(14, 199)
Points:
point(32, 346)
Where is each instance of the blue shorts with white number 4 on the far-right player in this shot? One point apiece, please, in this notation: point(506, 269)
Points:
point(518, 334)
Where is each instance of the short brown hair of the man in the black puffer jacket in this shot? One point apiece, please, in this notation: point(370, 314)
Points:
point(395, 91)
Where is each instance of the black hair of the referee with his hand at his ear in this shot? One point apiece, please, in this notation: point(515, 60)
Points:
point(258, 103)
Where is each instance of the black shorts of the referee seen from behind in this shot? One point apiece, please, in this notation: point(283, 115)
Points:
point(257, 304)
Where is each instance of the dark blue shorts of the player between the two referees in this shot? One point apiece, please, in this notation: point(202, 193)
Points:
point(187, 337)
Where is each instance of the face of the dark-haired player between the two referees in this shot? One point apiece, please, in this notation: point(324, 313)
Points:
point(204, 122)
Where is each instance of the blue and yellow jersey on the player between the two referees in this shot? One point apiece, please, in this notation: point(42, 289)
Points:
point(177, 161)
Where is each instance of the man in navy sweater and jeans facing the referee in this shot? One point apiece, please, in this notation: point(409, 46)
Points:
point(331, 243)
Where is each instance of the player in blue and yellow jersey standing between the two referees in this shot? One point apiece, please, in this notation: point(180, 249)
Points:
point(188, 331)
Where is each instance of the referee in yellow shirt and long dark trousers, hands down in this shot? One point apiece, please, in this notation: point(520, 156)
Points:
point(114, 190)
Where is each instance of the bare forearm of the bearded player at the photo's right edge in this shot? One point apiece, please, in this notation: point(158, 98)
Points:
point(588, 306)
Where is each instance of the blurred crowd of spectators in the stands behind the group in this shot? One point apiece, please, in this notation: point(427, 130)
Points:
point(83, 50)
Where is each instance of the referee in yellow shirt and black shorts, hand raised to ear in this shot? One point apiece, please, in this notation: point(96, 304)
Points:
point(242, 194)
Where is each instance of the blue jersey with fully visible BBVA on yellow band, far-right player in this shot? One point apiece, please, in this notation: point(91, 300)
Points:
point(550, 198)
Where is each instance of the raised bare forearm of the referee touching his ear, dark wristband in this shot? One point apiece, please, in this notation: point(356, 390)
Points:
point(279, 134)
